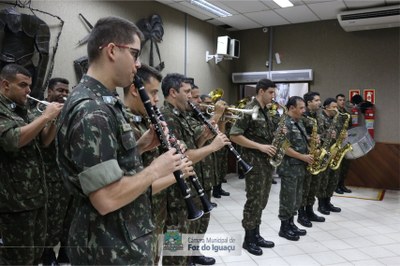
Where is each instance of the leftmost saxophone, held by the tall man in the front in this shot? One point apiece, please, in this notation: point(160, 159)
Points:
point(280, 142)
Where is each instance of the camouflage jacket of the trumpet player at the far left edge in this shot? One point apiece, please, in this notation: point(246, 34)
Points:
point(22, 180)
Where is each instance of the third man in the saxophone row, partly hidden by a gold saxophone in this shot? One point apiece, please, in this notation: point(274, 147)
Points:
point(311, 182)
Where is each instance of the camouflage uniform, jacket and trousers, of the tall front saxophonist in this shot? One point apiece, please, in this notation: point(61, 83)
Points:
point(258, 181)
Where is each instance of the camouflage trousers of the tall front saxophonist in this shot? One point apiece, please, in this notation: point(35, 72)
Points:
point(258, 185)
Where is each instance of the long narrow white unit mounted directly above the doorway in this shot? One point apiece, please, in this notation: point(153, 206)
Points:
point(276, 76)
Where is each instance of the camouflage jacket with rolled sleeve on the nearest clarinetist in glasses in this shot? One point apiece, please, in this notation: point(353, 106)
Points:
point(96, 147)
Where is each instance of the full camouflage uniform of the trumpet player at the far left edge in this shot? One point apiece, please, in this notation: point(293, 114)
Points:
point(23, 191)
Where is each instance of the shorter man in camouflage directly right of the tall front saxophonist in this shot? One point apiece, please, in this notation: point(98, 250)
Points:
point(293, 169)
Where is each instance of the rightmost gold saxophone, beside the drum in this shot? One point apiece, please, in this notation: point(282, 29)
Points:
point(337, 151)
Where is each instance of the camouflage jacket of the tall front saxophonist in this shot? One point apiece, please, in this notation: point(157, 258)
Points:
point(260, 130)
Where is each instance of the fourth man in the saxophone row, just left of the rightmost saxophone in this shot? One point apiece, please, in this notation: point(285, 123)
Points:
point(329, 178)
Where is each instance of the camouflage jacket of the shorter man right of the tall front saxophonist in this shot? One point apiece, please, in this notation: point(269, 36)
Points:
point(297, 136)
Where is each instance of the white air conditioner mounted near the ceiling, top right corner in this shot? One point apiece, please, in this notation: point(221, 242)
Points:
point(371, 18)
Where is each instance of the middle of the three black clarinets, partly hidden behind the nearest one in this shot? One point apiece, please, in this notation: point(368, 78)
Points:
point(207, 207)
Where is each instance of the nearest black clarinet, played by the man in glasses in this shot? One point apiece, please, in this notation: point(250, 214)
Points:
point(193, 213)
